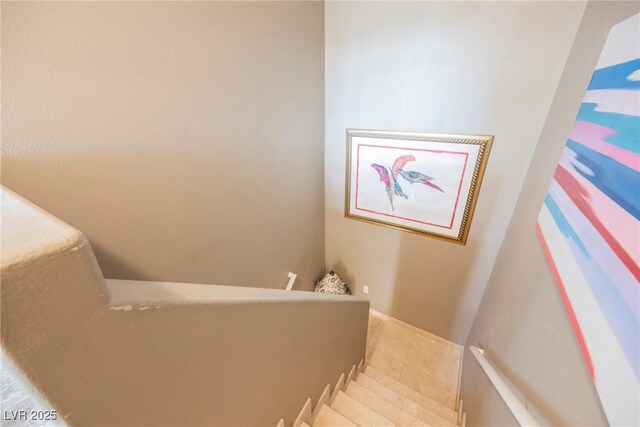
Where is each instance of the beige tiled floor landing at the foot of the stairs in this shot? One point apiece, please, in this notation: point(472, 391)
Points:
point(423, 362)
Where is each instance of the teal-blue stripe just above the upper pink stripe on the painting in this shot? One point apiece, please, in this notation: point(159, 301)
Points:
point(626, 128)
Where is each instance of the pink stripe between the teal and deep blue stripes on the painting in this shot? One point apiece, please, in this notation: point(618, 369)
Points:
point(593, 136)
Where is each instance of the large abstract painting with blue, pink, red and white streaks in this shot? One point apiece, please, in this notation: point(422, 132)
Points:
point(589, 225)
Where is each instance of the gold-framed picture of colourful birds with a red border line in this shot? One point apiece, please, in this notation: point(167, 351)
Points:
point(418, 182)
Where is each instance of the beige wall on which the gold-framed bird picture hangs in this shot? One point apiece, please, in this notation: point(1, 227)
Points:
point(452, 67)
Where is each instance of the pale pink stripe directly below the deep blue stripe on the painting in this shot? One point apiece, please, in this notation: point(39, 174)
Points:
point(624, 227)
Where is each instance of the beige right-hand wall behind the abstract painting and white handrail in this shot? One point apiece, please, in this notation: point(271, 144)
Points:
point(522, 322)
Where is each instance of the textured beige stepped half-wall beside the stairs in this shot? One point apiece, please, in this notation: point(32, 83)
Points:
point(126, 353)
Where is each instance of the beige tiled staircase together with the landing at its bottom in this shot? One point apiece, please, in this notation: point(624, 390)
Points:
point(370, 396)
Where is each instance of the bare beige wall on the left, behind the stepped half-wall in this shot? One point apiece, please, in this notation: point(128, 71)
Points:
point(185, 139)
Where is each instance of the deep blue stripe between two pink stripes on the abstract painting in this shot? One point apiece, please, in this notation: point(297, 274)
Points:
point(620, 183)
